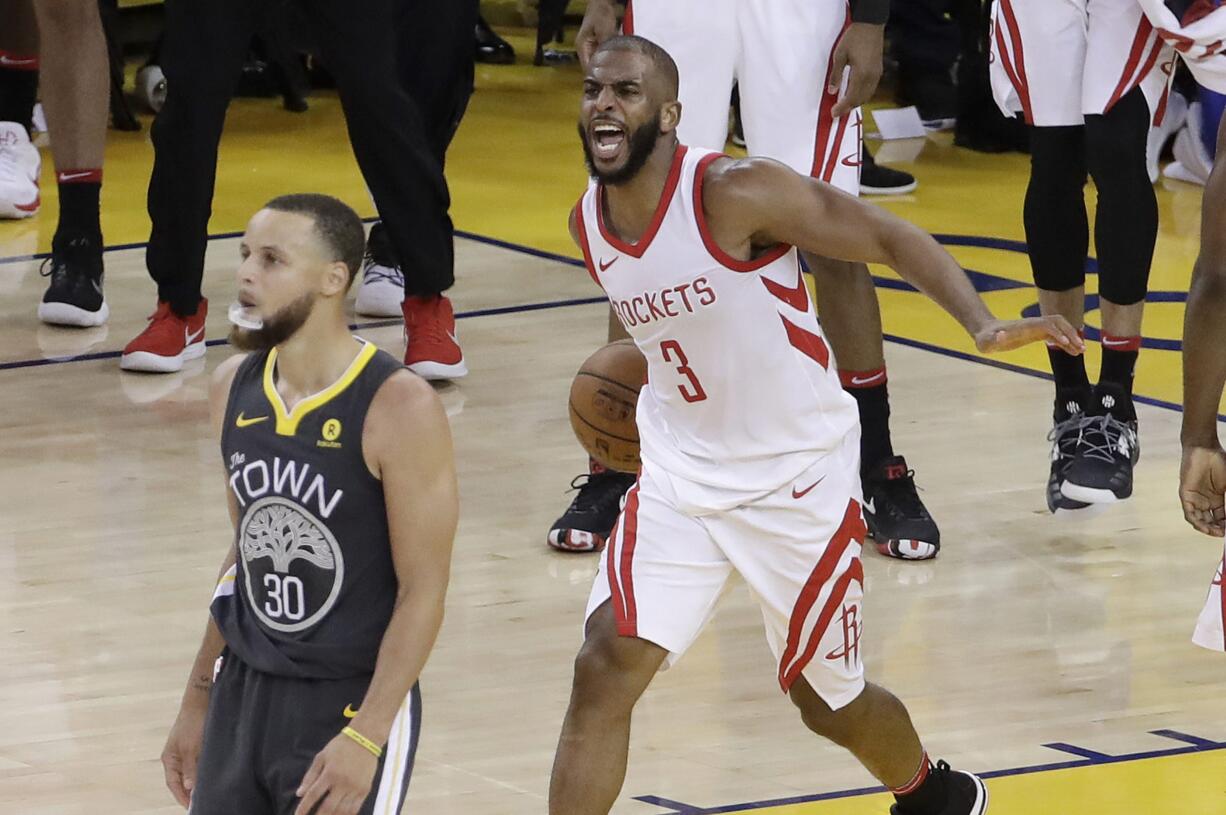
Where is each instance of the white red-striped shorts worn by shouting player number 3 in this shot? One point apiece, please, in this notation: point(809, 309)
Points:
point(799, 550)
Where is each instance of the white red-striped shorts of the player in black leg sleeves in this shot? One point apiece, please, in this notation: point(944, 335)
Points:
point(1057, 61)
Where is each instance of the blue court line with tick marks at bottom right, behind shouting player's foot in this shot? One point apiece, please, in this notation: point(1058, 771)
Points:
point(1091, 758)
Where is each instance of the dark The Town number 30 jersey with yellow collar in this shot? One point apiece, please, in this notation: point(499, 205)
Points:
point(313, 588)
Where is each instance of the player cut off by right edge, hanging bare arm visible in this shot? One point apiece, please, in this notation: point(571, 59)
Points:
point(1203, 475)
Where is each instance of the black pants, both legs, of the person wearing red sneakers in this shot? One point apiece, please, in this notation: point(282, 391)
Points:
point(204, 48)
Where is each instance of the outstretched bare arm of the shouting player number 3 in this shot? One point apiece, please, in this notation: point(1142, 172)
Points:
point(760, 203)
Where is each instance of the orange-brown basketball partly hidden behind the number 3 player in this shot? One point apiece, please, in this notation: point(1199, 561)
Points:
point(603, 401)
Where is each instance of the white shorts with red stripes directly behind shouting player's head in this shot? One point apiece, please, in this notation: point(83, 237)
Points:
point(779, 52)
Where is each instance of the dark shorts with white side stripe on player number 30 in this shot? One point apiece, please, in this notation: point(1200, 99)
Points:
point(263, 732)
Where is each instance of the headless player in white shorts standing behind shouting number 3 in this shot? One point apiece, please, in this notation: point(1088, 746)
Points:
point(789, 59)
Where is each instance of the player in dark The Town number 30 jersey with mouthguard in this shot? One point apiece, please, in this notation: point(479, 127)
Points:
point(341, 485)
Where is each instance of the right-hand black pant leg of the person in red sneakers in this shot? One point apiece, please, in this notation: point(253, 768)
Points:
point(389, 137)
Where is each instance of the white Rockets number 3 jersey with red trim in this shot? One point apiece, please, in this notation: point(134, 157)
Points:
point(742, 392)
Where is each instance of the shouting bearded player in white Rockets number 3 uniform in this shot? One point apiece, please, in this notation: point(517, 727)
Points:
point(750, 444)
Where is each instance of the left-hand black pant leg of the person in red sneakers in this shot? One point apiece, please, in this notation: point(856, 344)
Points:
point(203, 53)
